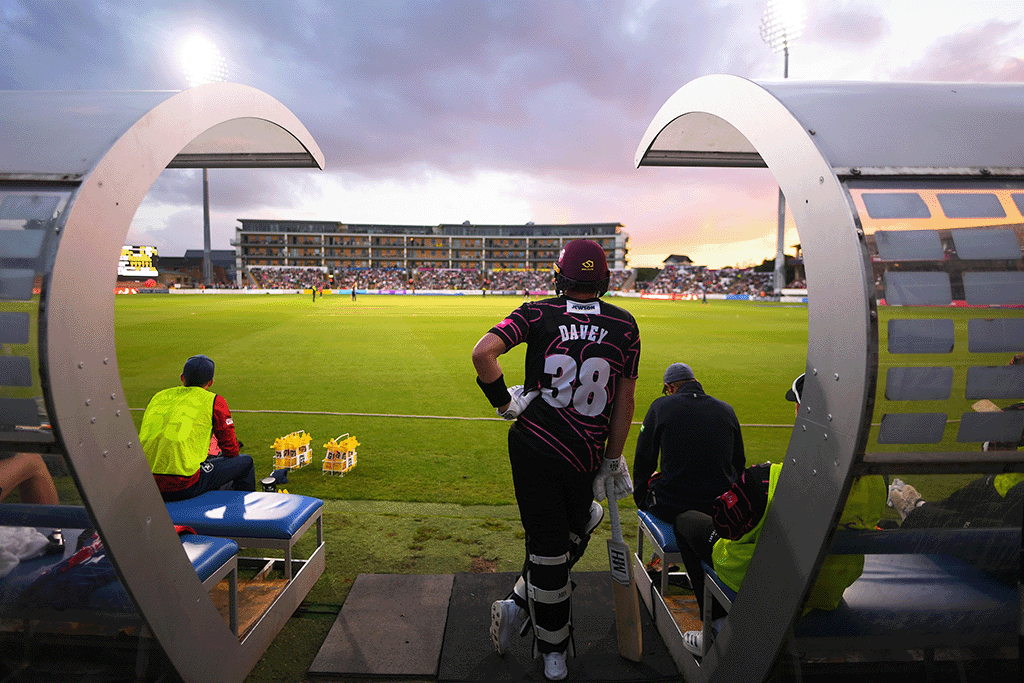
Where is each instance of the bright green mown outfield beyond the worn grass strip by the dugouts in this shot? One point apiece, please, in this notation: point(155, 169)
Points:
point(411, 357)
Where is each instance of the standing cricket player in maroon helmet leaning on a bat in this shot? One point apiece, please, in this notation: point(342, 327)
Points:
point(573, 415)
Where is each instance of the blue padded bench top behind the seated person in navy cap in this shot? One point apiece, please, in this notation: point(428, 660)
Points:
point(242, 515)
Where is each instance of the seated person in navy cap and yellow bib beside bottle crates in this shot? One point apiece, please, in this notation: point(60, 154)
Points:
point(176, 437)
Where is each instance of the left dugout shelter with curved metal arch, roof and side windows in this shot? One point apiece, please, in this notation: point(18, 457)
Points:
point(74, 168)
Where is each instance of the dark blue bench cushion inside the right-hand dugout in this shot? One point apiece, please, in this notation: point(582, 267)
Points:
point(923, 594)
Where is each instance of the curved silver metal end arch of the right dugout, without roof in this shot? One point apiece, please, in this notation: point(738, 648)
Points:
point(842, 351)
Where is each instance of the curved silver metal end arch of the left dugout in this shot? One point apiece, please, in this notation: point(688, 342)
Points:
point(82, 382)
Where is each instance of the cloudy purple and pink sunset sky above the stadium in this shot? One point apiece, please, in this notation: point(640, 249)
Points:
point(506, 112)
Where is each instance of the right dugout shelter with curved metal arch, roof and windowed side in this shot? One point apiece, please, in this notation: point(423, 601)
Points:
point(909, 199)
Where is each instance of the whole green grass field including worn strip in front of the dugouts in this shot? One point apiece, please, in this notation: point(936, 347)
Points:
point(430, 495)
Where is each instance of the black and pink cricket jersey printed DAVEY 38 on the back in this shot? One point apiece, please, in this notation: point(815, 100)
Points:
point(576, 354)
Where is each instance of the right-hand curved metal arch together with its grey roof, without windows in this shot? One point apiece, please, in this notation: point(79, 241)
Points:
point(818, 139)
